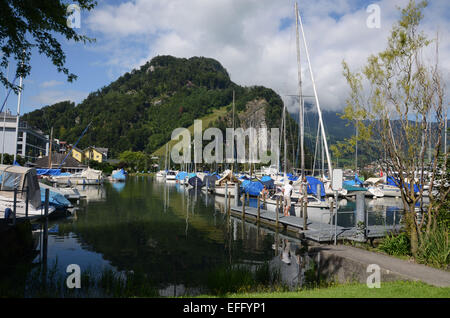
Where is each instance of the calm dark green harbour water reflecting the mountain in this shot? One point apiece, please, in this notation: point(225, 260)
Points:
point(175, 236)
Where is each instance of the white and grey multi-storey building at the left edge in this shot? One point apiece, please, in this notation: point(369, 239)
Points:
point(31, 142)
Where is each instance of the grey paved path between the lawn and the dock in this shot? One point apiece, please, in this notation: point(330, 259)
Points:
point(404, 268)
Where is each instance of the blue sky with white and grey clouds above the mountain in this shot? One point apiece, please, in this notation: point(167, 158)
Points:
point(253, 39)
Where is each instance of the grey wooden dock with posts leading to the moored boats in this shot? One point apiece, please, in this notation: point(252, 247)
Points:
point(316, 231)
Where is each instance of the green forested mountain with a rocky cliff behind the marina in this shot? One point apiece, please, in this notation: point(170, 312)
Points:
point(139, 110)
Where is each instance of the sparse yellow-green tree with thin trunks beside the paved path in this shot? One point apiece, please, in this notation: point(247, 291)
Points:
point(394, 98)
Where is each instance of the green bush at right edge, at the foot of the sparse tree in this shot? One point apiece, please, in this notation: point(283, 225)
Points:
point(434, 248)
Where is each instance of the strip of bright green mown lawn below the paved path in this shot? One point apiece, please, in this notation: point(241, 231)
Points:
point(399, 289)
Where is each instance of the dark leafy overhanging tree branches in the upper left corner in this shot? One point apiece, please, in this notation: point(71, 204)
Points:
point(33, 23)
